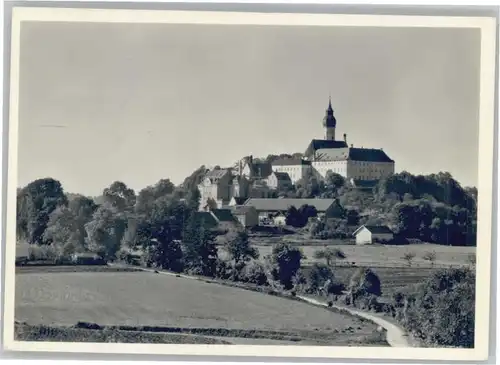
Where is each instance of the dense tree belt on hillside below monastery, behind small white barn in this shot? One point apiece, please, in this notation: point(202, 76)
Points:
point(432, 208)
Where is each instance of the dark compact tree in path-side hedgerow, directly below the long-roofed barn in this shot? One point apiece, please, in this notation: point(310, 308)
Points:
point(287, 262)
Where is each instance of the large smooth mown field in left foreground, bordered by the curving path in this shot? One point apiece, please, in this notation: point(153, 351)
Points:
point(173, 304)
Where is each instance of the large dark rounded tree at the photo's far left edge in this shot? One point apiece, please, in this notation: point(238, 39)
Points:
point(35, 202)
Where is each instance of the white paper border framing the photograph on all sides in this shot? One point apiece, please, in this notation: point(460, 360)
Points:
point(487, 27)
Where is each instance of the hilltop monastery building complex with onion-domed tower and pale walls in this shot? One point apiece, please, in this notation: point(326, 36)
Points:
point(257, 179)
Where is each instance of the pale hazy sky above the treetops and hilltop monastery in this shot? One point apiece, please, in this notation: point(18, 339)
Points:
point(137, 103)
